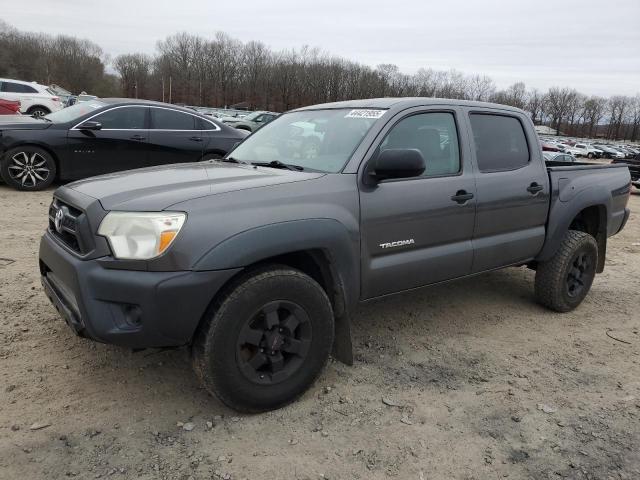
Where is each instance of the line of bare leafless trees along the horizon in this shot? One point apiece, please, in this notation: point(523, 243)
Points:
point(223, 71)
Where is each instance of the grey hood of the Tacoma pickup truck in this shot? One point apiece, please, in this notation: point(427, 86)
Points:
point(157, 188)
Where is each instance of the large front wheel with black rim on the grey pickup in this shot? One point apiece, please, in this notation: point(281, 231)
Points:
point(251, 367)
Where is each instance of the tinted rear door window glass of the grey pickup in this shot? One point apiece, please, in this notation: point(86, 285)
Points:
point(500, 142)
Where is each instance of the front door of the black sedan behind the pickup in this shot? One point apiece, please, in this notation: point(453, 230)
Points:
point(121, 143)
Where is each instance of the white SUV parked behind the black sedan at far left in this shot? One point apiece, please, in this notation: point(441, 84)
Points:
point(35, 99)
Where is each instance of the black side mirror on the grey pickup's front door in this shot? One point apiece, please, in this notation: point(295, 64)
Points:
point(395, 163)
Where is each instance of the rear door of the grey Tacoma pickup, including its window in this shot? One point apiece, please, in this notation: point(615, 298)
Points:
point(512, 189)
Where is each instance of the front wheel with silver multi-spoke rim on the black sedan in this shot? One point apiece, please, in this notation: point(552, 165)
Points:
point(28, 168)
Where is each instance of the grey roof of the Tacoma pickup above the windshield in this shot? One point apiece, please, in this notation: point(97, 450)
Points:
point(405, 102)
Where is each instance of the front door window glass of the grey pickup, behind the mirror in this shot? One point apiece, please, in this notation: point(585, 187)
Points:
point(435, 135)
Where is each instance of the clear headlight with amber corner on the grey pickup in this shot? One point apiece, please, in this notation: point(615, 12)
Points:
point(140, 235)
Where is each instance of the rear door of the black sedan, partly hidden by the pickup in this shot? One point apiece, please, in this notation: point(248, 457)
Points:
point(175, 137)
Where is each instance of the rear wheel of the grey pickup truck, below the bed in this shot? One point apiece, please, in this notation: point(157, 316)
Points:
point(564, 281)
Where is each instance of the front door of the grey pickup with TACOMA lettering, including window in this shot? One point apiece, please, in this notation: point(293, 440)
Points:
point(418, 231)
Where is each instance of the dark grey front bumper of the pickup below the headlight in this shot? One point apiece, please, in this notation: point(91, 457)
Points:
point(136, 309)
